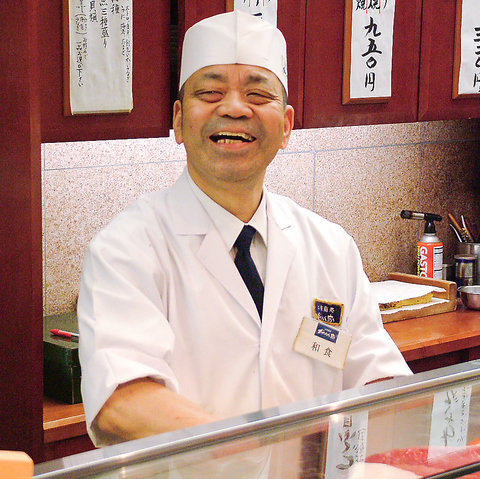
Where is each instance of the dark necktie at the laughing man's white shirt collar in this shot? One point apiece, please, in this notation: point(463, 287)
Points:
point(246, 266)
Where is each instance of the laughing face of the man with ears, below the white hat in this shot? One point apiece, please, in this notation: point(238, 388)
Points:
point(232, 121)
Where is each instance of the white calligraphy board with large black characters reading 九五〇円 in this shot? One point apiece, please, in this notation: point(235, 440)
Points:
point(367, 67)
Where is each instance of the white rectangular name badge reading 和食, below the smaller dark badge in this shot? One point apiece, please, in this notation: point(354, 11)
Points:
point(323, 343)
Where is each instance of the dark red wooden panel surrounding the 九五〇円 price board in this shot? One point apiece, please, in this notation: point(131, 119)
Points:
point(324, 68)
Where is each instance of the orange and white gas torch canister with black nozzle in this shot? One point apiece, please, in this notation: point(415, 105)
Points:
point(429, 247)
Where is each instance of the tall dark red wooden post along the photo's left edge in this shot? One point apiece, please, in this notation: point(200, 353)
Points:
point(21, 328)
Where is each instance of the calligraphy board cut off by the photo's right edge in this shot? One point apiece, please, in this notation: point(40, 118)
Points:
point(466, 80)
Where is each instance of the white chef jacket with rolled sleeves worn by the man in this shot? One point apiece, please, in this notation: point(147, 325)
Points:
point(160, 297)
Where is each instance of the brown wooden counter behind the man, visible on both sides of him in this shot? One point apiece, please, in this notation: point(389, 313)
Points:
point(426, 343)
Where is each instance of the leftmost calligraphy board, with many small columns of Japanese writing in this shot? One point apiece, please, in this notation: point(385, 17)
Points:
point(97, 56)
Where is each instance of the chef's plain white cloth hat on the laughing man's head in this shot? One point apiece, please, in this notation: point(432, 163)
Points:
point(234, 37)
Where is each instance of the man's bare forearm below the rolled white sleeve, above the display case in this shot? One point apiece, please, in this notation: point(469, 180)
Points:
point(143, 407)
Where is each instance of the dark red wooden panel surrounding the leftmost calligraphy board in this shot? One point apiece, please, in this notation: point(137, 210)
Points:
point(151, 114)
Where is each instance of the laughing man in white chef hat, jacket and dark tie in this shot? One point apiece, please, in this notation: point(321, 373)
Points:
point(215, 298)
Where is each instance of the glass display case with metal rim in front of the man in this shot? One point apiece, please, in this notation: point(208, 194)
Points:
point(426, 425)
